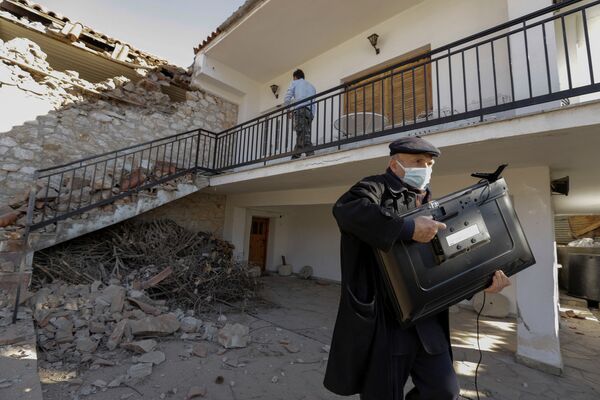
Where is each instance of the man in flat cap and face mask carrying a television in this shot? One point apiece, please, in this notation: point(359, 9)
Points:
point(370, 353)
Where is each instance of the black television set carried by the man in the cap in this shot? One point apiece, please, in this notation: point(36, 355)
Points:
point(482, 235)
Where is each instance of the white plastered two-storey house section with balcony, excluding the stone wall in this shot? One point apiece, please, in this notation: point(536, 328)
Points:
point(489, 82)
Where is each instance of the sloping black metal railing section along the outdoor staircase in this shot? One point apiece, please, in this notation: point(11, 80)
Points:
point(79, 186)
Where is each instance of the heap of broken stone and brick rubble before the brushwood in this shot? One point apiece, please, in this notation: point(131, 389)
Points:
point(75, 321)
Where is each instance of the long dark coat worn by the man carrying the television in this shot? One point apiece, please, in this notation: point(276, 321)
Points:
point(366, 335)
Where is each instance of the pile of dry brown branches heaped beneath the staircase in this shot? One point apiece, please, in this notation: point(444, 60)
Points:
point(188, 269)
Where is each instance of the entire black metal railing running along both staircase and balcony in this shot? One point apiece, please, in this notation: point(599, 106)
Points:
point(521, 63)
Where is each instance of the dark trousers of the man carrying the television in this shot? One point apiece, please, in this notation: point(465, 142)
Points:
point(432, 374)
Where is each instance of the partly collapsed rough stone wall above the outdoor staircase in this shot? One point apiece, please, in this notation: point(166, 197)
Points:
point(67, 121)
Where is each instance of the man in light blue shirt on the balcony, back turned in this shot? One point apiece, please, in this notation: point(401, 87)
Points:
point(303, 113)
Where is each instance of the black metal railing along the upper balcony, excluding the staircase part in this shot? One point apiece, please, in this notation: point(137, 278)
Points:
point(520, 63)
